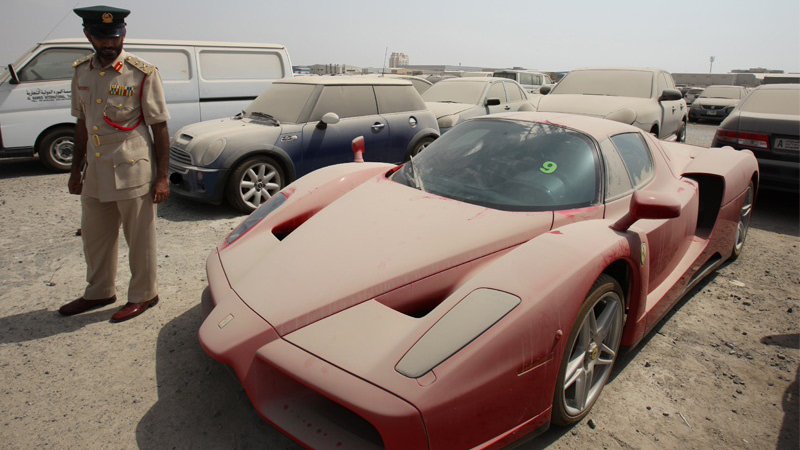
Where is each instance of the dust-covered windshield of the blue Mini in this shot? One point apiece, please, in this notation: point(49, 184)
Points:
point(282, 101)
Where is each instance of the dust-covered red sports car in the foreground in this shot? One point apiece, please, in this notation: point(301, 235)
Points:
point(475, 294)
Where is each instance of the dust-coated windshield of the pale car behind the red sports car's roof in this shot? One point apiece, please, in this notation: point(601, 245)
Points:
point(616, 83)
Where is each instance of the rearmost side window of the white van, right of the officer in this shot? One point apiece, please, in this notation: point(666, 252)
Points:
point(227, 65)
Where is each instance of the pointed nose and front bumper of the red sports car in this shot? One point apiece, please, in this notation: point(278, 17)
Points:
point(316, 403)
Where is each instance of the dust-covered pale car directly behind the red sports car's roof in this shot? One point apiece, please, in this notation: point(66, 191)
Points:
point(645, 98)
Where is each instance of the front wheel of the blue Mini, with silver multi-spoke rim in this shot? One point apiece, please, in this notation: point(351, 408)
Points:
point(253, 182)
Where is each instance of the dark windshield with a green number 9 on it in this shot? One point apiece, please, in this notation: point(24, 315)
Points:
point(508, 165)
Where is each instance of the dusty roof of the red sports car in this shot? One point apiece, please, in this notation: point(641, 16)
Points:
point(594, 126)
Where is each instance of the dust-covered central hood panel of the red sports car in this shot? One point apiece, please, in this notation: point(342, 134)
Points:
point(376, 238)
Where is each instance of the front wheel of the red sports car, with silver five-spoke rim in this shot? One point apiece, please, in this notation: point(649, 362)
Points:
point(589, 356)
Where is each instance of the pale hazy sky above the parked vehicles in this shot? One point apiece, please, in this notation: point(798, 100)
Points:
point(676, 35)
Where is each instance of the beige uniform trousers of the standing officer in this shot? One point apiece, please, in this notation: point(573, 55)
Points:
point(100, 223)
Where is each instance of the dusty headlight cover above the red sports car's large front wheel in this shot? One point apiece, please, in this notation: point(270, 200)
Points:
point(470, 318)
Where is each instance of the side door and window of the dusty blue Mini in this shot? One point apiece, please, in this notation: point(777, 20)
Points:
point(358, 116)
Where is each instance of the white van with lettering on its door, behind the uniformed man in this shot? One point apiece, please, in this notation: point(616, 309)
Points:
point(202, 81)
